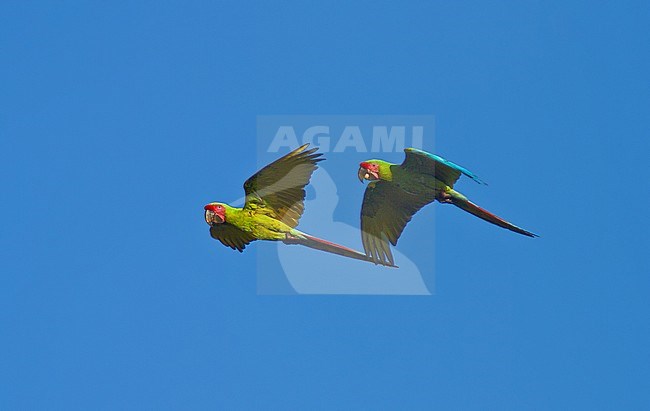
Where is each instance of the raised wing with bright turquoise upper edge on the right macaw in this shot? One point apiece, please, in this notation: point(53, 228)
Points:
point(444, 170)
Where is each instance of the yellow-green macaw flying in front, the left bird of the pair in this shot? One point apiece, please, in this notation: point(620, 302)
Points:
point(274, 204)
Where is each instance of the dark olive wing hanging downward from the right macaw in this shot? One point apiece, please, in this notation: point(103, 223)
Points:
point(385, 212)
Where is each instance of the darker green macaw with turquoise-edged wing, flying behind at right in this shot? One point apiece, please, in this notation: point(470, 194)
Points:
point(397, 192)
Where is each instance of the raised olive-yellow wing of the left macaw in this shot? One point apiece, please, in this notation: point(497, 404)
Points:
point(278, 189)
